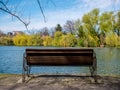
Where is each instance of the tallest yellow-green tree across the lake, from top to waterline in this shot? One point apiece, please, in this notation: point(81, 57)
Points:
point(91, 28)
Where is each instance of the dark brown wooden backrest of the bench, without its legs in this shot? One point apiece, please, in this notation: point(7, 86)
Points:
point(59, 57)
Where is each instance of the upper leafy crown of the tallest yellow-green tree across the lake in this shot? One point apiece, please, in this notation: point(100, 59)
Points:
point(90, 22)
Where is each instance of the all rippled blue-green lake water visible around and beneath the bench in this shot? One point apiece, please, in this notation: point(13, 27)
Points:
point(11, 57)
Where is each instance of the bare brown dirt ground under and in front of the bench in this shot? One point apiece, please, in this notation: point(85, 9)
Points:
point(59, 82)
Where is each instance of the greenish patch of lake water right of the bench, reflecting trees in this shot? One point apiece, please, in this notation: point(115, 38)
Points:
point(108, 60)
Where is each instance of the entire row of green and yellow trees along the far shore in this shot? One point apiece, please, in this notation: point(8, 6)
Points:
point(93, 30)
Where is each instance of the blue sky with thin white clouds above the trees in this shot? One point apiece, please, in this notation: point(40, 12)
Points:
point(55, 11)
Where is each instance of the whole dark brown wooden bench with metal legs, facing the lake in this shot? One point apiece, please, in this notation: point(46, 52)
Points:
point(59, 57)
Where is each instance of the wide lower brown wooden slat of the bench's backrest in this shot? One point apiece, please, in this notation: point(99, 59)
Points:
point(60, 60)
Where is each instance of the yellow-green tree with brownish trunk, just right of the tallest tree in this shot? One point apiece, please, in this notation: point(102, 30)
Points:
point(106, 25)
